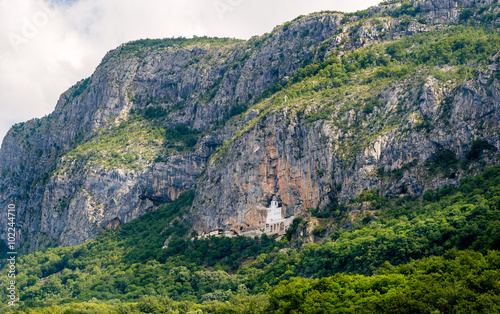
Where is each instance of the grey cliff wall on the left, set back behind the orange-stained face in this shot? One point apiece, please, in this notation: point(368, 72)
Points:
point(58, 168)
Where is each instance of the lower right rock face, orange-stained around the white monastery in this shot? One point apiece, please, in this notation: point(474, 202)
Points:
point(298, 162)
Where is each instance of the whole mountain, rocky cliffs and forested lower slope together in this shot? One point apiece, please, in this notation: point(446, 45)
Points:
point(376, 133)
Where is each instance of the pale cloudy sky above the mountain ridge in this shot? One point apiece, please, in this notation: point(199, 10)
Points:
point(46, 46)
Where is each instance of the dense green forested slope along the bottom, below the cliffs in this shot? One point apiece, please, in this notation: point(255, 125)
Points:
point(448, 239)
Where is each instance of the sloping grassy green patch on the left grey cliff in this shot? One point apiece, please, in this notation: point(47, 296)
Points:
point(133, 144)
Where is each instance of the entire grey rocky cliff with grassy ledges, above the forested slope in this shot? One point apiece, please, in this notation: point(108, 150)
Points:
point(242, 121)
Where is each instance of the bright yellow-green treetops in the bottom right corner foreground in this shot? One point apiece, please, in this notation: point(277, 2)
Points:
point(458, 282)
